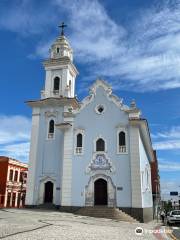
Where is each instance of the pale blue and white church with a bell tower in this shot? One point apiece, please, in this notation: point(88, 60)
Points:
point(89, 153)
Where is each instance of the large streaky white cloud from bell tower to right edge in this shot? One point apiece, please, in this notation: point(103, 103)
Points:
point(148, 59)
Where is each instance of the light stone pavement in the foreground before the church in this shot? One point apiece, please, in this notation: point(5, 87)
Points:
point(36, 224)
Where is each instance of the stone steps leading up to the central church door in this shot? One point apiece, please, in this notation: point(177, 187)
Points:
point(105, 212)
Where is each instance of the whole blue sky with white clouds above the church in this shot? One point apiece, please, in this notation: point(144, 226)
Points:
point(132, 44)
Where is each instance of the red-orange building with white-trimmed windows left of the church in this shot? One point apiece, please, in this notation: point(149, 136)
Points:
point(13, 175)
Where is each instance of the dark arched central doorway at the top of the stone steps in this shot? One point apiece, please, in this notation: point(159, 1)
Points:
point(100, 192)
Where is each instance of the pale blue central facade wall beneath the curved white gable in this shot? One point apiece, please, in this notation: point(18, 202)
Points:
point(104, 125)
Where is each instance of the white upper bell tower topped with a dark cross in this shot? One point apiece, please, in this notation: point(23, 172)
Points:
point(60, 70)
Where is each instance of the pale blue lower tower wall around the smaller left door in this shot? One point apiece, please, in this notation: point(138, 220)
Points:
point(45, 156)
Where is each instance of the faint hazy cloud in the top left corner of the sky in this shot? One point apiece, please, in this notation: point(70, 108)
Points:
point(25, 17)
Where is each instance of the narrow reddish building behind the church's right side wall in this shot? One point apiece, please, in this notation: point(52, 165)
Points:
point(155, 181)
